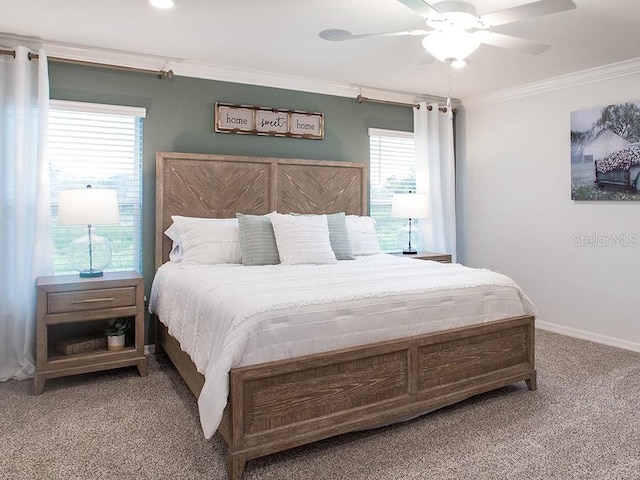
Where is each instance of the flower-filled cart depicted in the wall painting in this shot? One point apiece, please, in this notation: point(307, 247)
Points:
point(620, 168)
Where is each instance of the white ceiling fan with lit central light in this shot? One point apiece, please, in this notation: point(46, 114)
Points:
point(455, 31)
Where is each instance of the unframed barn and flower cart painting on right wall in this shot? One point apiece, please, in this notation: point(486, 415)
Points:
point(605, 153)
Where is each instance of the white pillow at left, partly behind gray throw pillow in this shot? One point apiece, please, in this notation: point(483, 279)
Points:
point(208, 241)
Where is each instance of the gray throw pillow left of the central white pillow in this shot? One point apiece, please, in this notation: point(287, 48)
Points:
point(257, 240)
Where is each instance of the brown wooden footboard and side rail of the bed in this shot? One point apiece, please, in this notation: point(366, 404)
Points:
point(280, 405)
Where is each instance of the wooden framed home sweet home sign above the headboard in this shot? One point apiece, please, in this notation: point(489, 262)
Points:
point(245, 119)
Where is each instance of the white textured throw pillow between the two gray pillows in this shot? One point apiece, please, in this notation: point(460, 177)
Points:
point(302, 239)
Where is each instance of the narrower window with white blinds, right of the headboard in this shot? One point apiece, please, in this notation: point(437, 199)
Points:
point(391, 170)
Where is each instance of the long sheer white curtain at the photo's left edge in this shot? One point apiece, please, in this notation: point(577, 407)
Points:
point(25, 226)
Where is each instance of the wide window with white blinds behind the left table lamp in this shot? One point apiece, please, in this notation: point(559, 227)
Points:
point(100, 145)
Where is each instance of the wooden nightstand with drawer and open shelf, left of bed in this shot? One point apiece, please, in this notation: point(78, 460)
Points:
point(70, 307)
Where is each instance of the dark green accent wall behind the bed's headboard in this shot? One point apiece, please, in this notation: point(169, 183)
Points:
point(180, 118)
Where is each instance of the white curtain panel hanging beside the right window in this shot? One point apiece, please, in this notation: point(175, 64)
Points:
point(435, 175)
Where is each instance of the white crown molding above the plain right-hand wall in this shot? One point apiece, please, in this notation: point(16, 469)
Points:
point(584, 77)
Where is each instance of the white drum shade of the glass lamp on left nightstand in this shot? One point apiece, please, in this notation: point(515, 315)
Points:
point(88, 206)
